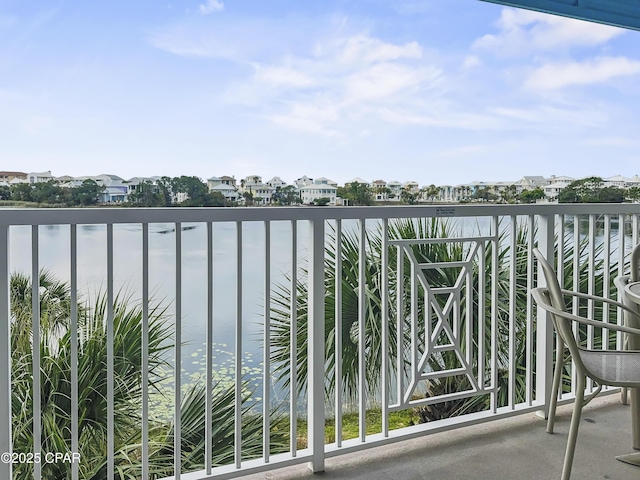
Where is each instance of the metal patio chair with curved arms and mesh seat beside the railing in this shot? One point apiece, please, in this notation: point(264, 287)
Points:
point(617, 368)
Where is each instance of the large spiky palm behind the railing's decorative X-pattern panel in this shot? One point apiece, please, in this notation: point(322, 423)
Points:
point(424, 253)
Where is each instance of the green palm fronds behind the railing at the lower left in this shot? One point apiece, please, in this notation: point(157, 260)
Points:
point(55, 367)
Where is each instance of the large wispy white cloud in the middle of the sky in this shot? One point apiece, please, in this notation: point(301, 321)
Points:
point(340, 86)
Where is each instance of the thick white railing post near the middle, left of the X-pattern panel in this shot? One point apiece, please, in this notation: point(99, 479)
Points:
point(315, 345)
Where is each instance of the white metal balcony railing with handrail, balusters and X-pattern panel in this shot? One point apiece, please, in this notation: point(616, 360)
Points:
point(233, 338)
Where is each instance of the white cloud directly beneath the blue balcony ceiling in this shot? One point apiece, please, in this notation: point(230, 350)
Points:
point(524, 31)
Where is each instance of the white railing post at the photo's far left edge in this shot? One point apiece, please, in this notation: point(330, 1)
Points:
point(5, 354)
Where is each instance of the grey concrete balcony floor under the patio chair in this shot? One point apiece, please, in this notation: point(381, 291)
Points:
point(511, 448)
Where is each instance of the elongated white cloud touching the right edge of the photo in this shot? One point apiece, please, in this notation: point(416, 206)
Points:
point(598, 70)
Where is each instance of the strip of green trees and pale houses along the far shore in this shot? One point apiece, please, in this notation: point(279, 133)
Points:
point(193, 192)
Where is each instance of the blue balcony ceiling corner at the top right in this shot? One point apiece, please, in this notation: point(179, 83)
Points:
point(621, 13)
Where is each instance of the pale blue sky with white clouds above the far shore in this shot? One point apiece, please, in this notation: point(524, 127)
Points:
point(440, 92)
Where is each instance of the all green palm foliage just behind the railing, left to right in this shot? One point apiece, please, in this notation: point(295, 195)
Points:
point(55, 352)
